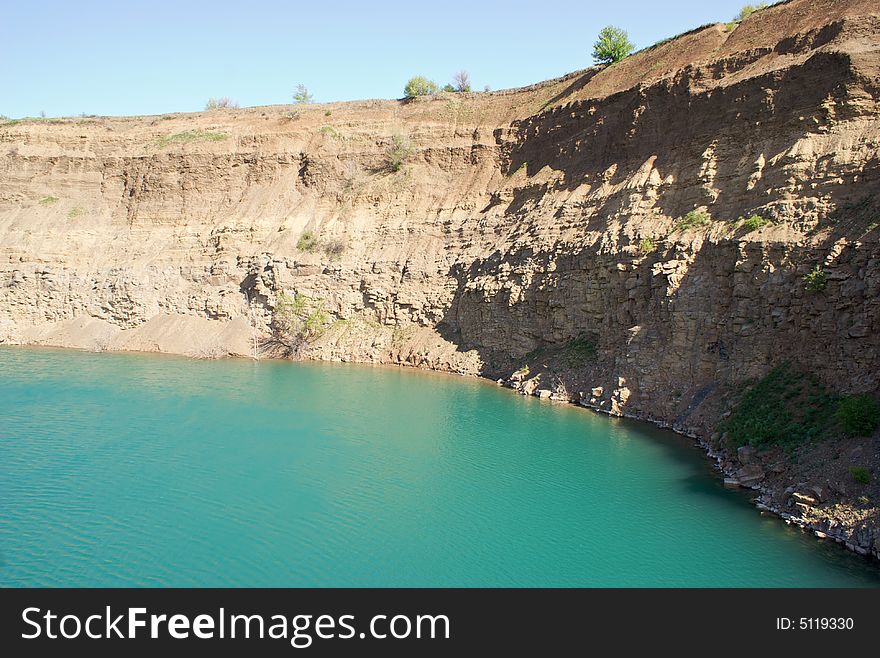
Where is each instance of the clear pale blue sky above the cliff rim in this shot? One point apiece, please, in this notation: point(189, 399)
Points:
point(132, 57)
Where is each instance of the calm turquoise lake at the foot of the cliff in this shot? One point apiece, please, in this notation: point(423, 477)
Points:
point(139, 470)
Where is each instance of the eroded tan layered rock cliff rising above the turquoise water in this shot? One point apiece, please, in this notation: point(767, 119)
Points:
point(524, 225)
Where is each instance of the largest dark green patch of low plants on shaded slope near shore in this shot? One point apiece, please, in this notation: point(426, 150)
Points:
point(787, 408)
